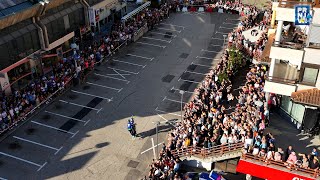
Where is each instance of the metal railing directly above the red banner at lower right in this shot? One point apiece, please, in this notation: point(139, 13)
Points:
point(279, 164)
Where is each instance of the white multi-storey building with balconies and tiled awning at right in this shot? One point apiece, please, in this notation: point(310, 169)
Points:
point(293, 56)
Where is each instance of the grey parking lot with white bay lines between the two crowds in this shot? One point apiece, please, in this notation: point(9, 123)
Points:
point(83, 135)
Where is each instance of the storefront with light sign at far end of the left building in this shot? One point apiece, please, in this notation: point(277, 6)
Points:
point(104, 14)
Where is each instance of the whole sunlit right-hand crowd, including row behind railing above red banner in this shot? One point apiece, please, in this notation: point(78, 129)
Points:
point(207, 123)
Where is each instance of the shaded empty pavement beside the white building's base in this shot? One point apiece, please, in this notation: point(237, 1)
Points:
point(286, 134)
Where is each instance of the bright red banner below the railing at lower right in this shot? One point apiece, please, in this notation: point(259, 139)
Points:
point(269, 172)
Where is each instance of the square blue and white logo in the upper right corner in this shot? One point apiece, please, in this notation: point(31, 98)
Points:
point(302, 15)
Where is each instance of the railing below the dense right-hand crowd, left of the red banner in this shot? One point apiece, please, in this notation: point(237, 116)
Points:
point(208, 152)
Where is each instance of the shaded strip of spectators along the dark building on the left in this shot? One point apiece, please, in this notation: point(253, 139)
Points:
point(84, 56)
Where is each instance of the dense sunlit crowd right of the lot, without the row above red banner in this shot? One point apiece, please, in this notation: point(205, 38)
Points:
point(206, 122)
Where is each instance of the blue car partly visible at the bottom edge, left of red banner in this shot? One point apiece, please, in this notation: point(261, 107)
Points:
point(203, 176)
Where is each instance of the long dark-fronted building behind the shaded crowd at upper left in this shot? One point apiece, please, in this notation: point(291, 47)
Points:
point(34, 32)
